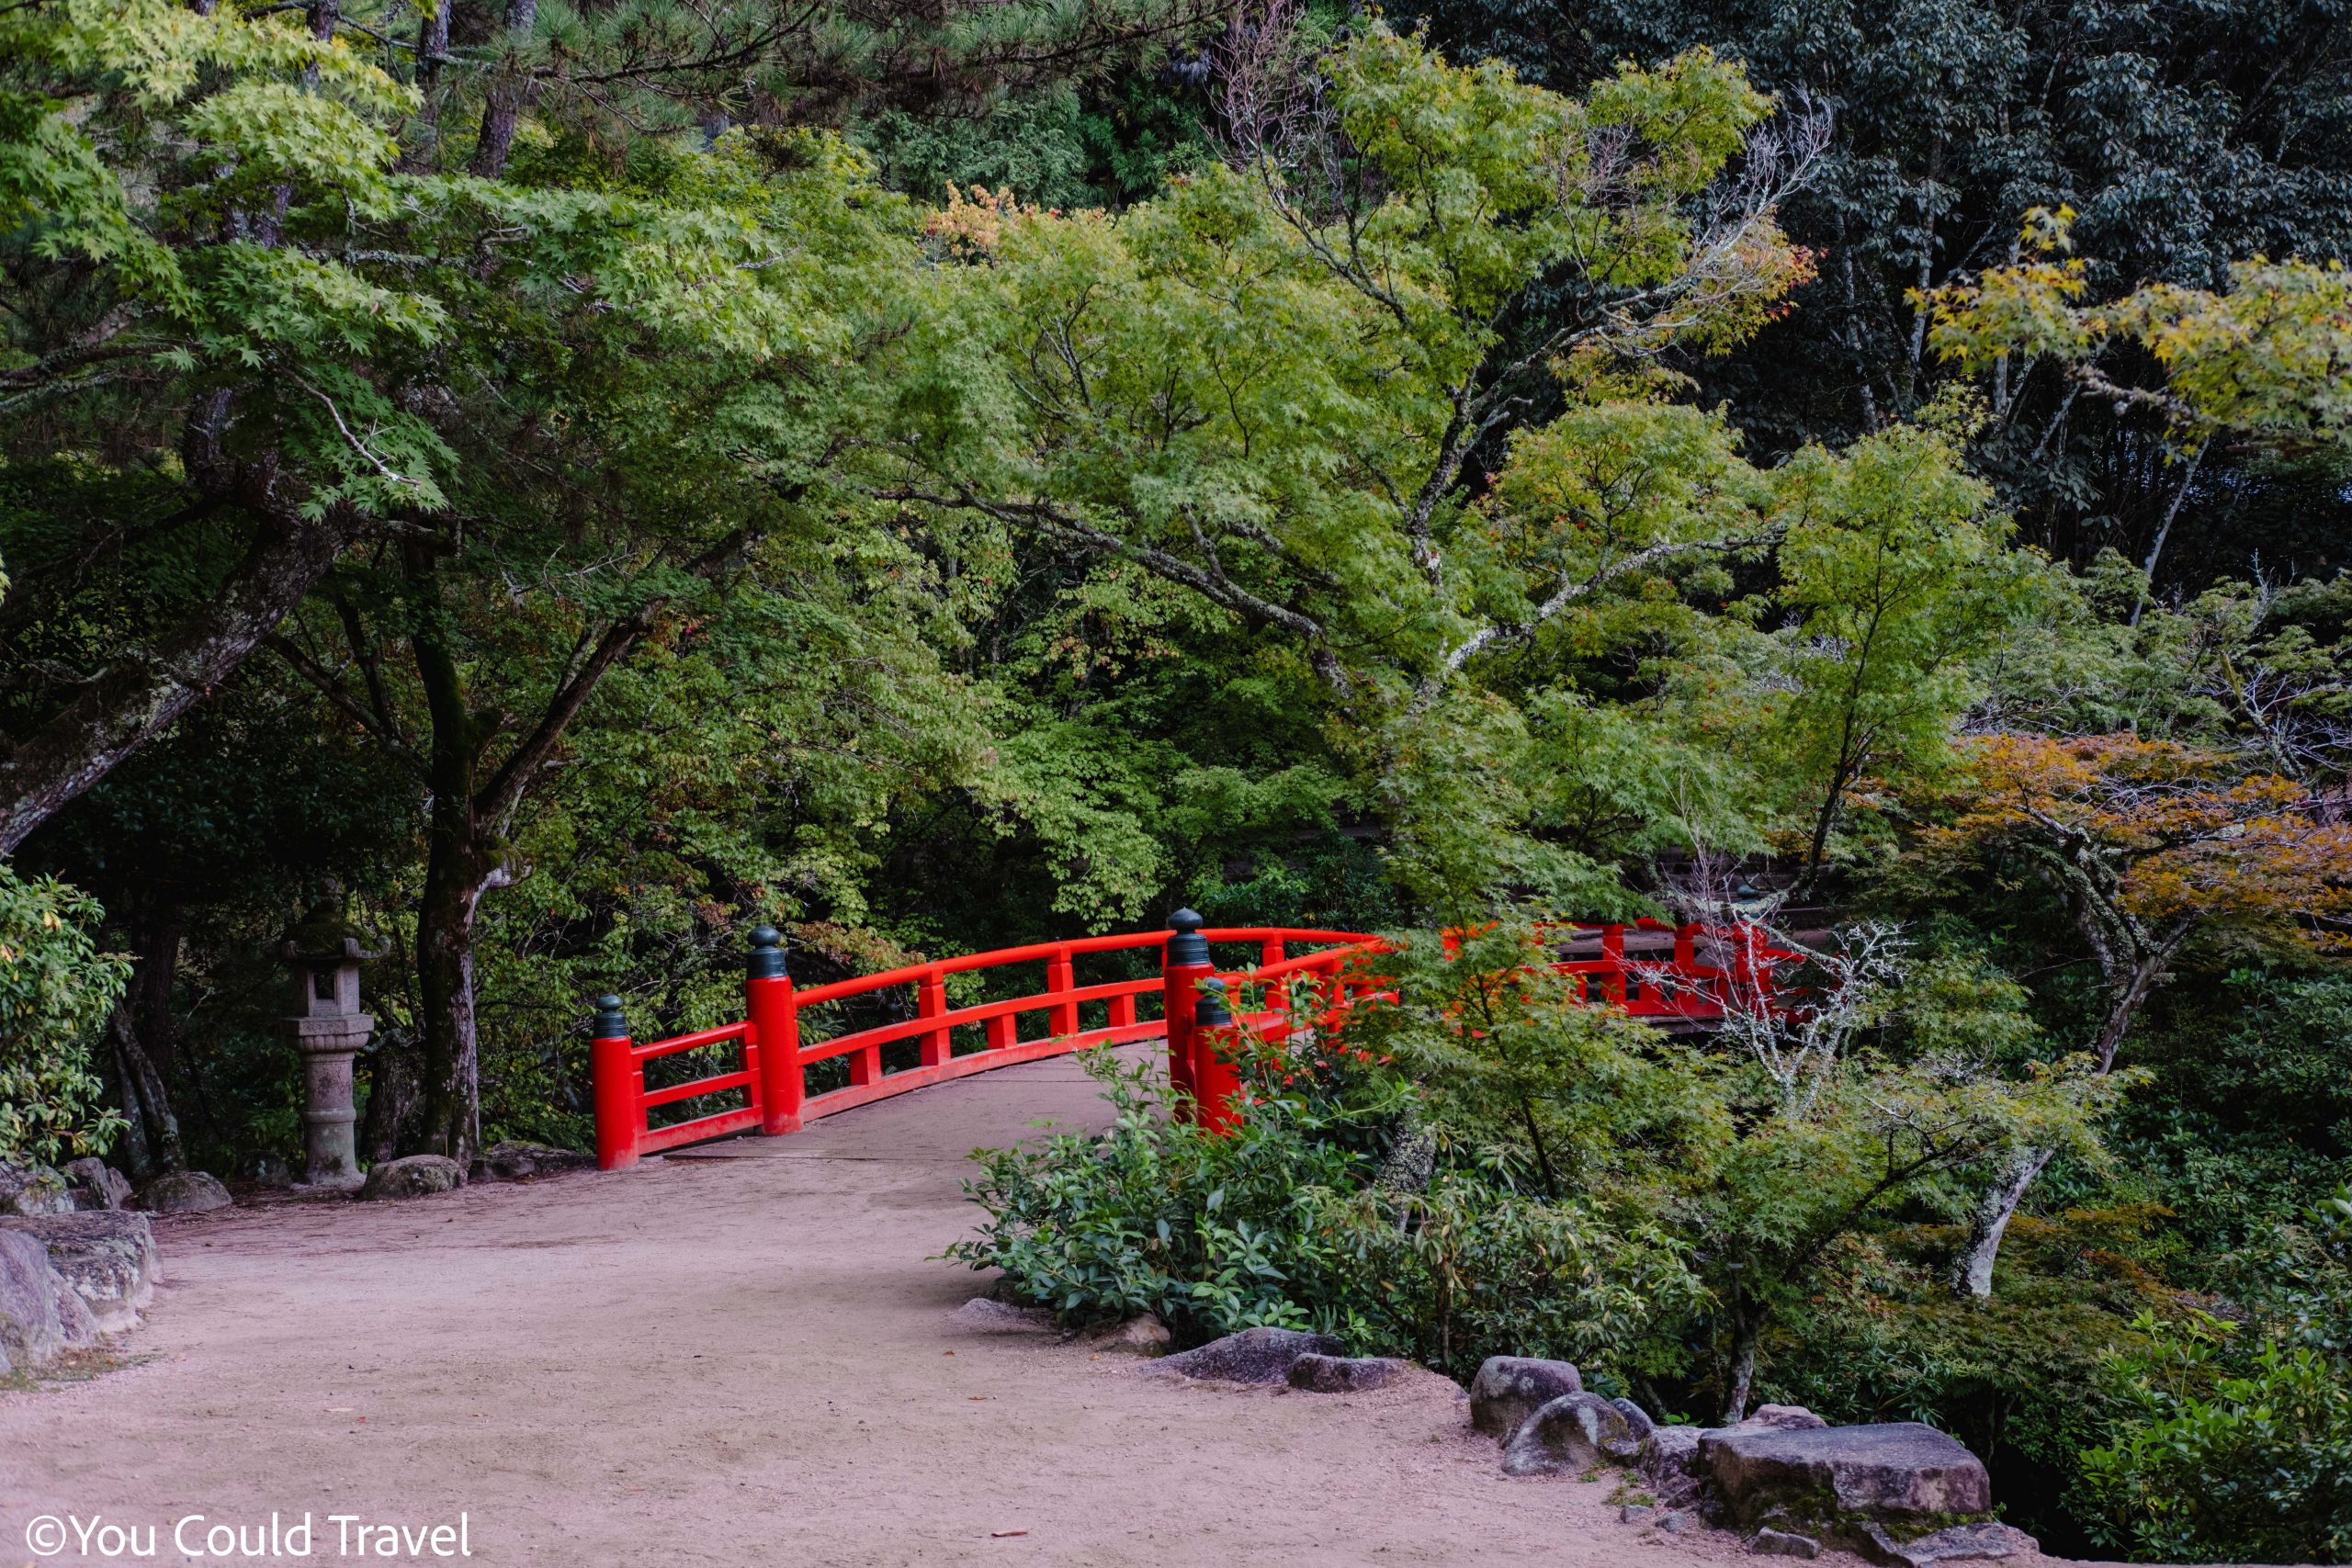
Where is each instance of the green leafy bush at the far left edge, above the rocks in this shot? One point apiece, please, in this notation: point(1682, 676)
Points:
point(55, 993)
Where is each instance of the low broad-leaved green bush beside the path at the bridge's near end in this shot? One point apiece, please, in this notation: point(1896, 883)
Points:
point(1285, 1224)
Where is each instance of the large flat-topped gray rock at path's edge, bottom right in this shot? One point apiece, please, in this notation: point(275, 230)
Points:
point(1897, 1470)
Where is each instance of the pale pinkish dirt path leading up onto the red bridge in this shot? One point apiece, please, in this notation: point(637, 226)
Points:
point(740, 1360)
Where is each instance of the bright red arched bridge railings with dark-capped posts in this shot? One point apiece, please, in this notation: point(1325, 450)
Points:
point(1299, 977)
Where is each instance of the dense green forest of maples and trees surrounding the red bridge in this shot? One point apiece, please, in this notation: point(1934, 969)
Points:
point(563, 483)
